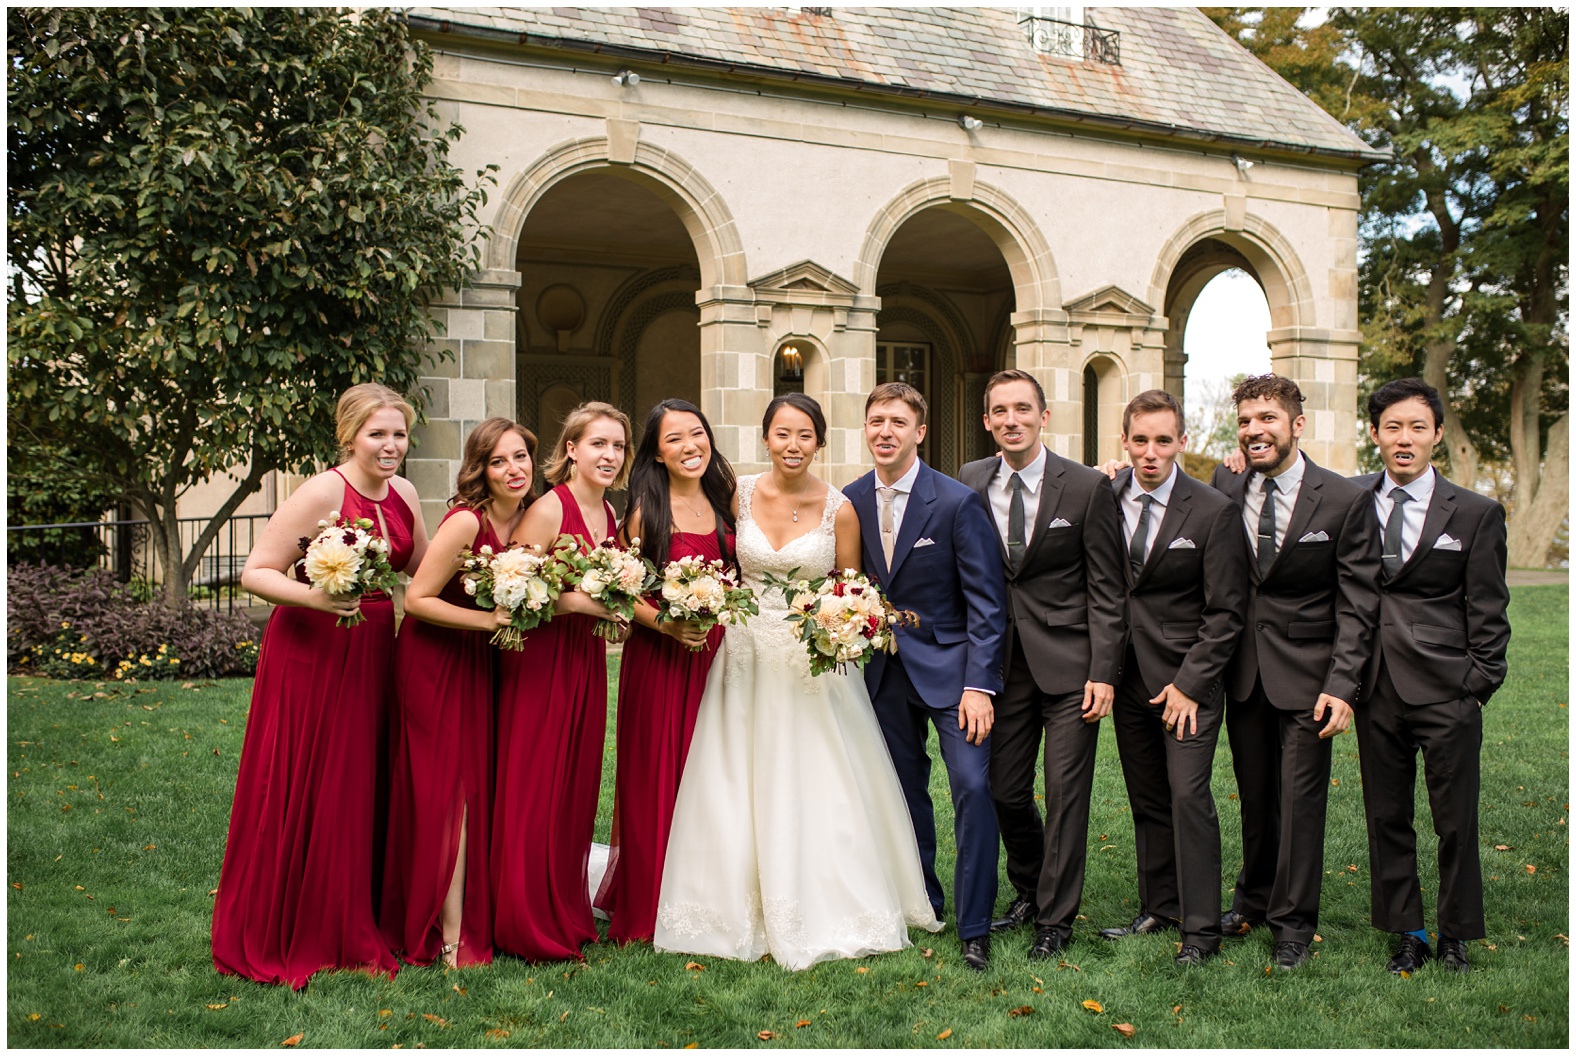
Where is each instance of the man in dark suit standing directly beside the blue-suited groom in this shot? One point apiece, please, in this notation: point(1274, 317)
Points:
point(1060, 537)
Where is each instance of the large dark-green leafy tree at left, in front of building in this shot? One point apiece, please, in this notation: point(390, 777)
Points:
point(218, 221)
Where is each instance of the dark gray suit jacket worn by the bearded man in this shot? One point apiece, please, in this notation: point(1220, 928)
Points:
point(1310, 622)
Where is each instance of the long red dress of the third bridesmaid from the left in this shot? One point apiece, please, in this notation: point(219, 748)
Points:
point(552, 719)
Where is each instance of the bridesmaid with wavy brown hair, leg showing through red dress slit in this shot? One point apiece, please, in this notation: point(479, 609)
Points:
point(437, 898)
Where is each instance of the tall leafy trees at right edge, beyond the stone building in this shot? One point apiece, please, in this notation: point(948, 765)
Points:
point(1463, 275)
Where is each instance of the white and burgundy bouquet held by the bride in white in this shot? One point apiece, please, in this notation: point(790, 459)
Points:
point(842, 619)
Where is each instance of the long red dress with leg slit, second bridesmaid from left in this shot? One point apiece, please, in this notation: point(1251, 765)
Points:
point(442, 778)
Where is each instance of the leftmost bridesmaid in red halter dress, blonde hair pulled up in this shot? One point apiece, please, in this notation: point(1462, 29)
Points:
point(299, 883)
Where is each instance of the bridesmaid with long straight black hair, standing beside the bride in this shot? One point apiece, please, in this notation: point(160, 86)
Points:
point(680, 505)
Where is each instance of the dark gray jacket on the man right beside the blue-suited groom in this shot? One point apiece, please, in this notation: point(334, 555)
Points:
point(1066, 601)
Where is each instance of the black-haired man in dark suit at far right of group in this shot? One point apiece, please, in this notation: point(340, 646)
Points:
point(1441, 655)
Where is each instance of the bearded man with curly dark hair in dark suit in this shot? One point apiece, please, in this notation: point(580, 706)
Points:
point(1314, 609)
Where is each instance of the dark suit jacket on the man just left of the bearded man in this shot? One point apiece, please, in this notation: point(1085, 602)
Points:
point(1184, 609)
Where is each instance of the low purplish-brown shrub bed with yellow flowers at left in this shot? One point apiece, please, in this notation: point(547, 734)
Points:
point(84, 625)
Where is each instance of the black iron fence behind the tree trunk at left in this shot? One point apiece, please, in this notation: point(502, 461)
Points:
point(127, 549)
